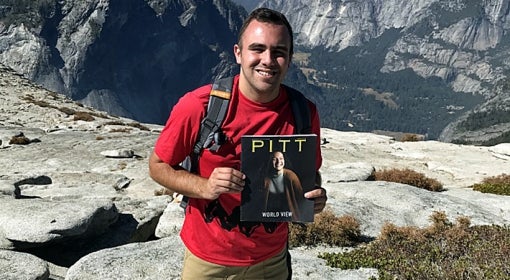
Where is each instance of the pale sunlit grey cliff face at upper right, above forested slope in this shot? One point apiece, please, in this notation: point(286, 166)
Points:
point(464, 43)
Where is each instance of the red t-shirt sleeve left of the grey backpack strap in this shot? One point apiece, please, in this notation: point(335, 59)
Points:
point(179, 135)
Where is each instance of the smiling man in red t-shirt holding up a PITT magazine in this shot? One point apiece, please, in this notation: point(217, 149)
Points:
point(218, 245)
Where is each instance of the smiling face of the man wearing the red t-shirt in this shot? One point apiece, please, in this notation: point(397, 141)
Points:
point(264, 56)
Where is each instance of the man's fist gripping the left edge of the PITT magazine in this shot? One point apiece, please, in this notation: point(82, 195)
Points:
point(223, 180)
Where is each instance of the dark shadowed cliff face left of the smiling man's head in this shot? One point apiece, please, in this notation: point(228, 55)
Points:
point(131, 58)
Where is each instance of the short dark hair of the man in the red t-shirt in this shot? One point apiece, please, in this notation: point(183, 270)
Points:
point(269, 16)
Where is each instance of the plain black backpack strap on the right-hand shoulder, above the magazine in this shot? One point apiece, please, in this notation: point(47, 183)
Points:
point(300, 110)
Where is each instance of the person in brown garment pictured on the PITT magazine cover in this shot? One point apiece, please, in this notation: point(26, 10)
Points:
point(283, 190)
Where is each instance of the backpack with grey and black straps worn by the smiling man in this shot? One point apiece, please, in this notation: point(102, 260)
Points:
point(210, 127)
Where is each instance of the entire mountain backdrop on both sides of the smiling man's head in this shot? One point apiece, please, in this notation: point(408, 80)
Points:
point(437, 68)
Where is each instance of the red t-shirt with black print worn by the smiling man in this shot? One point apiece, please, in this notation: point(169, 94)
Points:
point(212, 230)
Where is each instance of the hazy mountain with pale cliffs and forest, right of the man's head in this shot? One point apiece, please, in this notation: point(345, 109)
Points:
point(434, 67)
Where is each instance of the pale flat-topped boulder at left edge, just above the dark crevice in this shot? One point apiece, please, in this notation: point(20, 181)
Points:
point(29, 223)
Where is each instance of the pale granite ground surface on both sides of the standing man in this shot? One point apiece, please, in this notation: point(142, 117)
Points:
point(73, 203)
